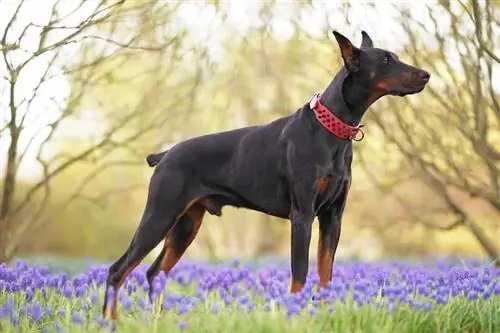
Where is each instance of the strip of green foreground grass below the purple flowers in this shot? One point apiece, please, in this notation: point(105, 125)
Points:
point(460, 315)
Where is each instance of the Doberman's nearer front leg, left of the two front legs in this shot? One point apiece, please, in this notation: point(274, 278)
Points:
point(301, 238)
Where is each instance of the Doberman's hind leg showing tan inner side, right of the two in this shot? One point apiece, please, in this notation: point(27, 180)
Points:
point(176, 243)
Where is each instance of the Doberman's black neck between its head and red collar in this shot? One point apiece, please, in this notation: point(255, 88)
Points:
point(347, 98)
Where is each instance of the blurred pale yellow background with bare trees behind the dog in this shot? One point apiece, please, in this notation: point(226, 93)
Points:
point(88, 88)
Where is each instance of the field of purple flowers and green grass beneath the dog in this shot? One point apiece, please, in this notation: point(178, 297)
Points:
point(198, 297)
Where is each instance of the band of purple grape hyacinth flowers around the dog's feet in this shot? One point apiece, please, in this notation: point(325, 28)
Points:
point(32, 297)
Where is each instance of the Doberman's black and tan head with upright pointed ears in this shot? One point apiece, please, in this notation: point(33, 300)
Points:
point(380, 70)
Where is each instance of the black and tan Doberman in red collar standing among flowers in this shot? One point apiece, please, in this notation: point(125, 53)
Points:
point(296, 167)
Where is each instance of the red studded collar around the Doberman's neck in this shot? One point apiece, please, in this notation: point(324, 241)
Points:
point(332, 123)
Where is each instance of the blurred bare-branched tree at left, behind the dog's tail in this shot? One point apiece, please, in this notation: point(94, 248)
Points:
point(79, 50)
